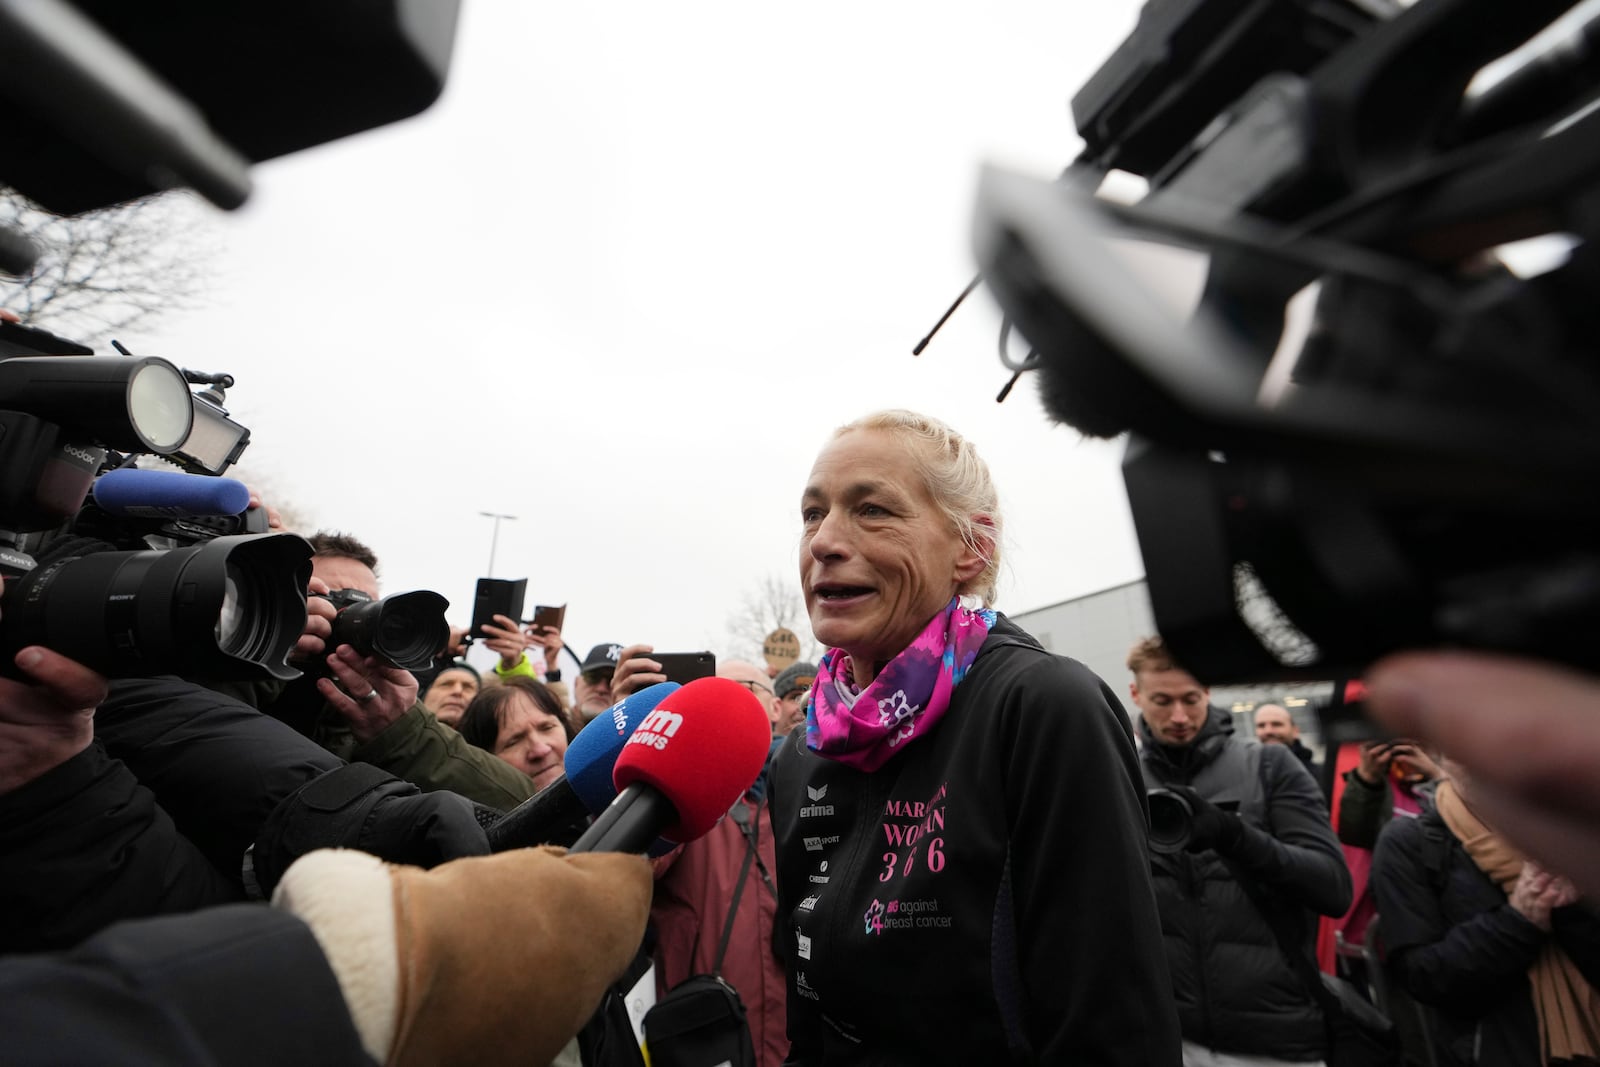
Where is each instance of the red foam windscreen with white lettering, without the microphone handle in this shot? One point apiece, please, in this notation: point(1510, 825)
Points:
point(703, 746)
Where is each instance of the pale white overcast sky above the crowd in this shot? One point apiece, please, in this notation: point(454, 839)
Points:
point(625, 279)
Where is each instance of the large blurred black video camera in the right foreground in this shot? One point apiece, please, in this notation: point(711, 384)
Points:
point(1407, 471)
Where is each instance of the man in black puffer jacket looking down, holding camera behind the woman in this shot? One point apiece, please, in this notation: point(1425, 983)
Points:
point(1260, 855)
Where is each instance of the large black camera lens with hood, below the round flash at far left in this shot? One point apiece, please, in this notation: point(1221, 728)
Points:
point(231, 609)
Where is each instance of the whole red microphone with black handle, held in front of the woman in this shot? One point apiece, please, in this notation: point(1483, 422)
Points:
point(684, 767)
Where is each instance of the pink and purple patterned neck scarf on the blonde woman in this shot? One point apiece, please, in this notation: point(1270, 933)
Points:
point(863, 729)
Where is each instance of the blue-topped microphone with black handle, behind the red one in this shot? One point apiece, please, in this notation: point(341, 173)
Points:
point(586, 786)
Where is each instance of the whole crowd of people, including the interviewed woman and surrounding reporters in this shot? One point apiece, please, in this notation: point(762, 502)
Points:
point(943, 861)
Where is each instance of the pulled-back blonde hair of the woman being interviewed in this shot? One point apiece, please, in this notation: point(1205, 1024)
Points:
point(958, 481)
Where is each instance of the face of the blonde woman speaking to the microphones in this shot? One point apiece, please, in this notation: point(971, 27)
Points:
point(878, 557)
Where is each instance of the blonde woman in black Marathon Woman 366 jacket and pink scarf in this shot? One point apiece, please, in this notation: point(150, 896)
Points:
point(961, 826)
